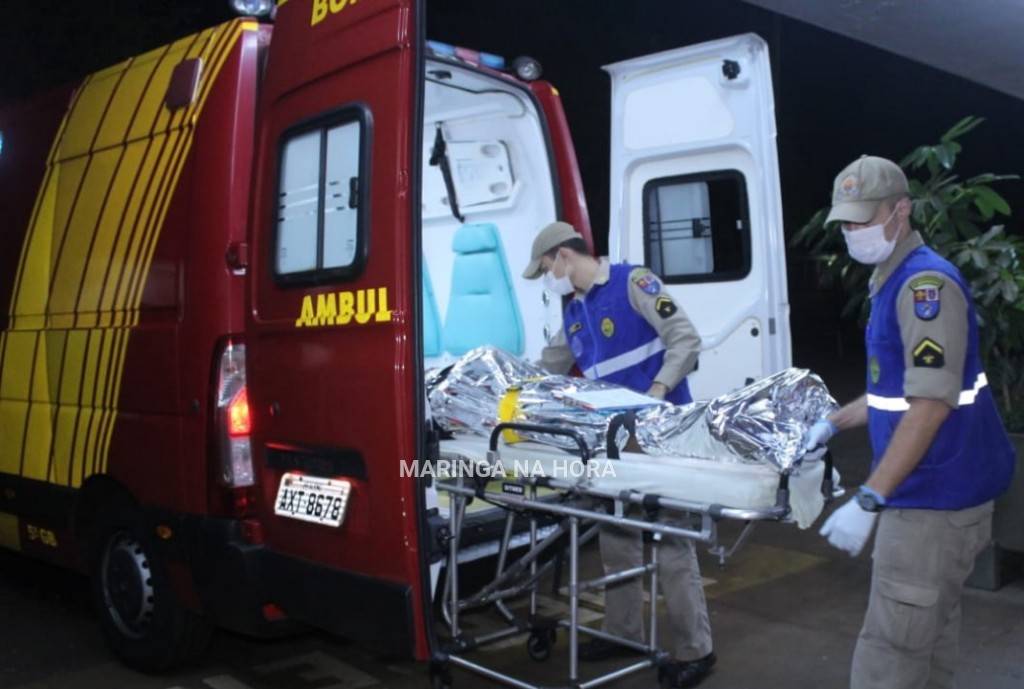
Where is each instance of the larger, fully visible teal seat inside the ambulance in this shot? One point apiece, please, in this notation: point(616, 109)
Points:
point(483, 309)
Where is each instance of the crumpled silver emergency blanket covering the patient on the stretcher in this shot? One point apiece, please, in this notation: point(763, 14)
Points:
point(763, 423)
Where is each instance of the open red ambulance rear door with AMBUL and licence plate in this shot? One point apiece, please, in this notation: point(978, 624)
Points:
point(332, 351)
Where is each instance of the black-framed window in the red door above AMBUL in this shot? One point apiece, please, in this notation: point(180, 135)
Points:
point(320, 194)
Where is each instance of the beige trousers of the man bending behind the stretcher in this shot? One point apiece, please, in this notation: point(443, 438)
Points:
point(679, 579)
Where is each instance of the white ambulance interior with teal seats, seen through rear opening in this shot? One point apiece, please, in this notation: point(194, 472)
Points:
point(485, 160)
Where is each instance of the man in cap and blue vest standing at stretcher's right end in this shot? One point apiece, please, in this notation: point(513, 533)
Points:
point(942, 455)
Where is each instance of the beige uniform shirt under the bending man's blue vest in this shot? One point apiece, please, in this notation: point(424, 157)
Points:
point(682, 344)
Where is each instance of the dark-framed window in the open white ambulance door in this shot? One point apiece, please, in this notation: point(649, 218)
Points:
point(697, 228)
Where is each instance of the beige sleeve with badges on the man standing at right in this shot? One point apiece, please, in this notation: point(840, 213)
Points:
point(932, 314)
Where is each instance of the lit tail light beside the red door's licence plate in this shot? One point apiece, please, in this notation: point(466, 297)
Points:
point(232, 420)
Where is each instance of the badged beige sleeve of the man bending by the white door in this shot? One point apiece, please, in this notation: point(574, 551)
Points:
point(682, 344)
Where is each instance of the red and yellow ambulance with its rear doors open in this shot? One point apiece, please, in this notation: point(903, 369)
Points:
point(229, 264)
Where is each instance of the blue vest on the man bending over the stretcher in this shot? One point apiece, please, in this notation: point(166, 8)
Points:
point(612, 342)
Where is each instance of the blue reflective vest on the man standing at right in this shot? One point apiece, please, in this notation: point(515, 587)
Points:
point(971, 460)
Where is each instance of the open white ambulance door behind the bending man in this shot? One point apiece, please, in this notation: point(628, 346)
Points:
point(696, 196)
